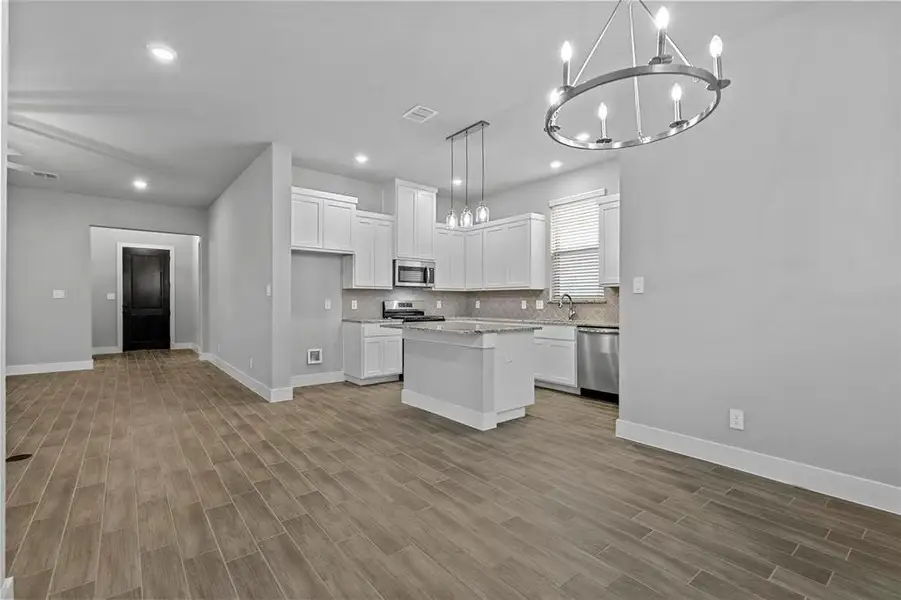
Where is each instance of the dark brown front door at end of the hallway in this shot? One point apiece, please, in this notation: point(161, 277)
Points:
point(145, 299)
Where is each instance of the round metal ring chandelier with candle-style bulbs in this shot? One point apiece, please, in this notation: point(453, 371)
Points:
point(660, 64)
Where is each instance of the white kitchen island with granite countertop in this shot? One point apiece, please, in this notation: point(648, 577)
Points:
point(473, 372)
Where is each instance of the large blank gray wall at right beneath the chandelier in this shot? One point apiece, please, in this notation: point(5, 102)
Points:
point(769, 239)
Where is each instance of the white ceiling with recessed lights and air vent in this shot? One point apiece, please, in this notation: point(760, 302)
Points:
point(328, 79)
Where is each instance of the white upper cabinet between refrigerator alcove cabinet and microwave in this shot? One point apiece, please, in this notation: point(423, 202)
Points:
point(373, 248)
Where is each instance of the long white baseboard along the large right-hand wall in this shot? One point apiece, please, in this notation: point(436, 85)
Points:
point(841, 485)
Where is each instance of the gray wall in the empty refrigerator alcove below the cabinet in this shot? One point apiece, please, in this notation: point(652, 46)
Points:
point(315, 278)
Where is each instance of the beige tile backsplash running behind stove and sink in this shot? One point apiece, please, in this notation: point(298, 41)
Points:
point(499, 304)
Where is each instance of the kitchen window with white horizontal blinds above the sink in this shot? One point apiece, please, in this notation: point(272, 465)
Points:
point(574, 247)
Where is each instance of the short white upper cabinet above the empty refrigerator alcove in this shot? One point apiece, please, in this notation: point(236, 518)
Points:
point(322, 221)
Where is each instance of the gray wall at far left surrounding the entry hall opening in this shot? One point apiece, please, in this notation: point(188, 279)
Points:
point(49, 247)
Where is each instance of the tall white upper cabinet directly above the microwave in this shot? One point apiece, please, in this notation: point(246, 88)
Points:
point(414, 208)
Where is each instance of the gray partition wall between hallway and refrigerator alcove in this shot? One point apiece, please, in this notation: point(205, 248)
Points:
point(249, 245)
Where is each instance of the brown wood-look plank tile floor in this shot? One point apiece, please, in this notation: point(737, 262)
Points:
point(157, 476)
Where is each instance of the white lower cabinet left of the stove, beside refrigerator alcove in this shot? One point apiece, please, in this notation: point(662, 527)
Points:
point(372, 353)
